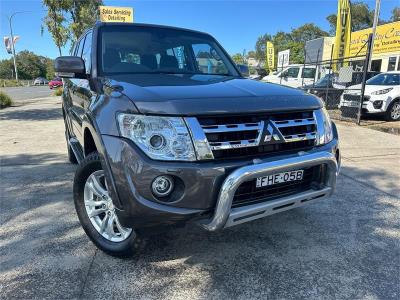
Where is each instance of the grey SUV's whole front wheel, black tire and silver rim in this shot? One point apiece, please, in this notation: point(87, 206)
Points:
point(102, 227)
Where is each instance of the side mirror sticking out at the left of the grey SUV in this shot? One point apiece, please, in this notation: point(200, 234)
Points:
point(70, 67)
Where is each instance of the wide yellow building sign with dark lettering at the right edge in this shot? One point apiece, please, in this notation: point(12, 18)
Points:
point(387, 39)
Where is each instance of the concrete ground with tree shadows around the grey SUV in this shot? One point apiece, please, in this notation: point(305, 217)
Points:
point(347, 247)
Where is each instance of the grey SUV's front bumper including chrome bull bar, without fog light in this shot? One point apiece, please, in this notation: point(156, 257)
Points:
point(209, 186)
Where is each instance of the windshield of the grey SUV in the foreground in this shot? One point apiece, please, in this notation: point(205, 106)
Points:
point(146, 50)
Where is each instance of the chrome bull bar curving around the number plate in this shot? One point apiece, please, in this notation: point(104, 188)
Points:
point(226, 216)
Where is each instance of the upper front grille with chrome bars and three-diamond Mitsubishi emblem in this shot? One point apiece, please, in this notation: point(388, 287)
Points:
point(259, 134)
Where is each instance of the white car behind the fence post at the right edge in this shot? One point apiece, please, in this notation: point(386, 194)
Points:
point(381, 96)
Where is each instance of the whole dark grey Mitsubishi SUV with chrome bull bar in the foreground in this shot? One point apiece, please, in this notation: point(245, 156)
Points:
point(167, 131)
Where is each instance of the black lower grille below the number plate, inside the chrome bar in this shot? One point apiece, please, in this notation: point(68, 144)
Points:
point(247, 193)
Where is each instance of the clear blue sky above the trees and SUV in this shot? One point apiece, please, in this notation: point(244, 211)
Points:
point(235, 24)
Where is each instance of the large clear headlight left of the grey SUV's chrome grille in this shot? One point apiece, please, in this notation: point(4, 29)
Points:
point(161, 138)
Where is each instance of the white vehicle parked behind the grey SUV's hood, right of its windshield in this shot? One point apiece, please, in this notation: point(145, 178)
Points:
point(293, 75)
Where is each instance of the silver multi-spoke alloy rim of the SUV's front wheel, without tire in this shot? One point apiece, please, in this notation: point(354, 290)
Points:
point(100, 209)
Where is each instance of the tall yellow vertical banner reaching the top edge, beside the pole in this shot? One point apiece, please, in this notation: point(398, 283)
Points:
point(343, 29)
